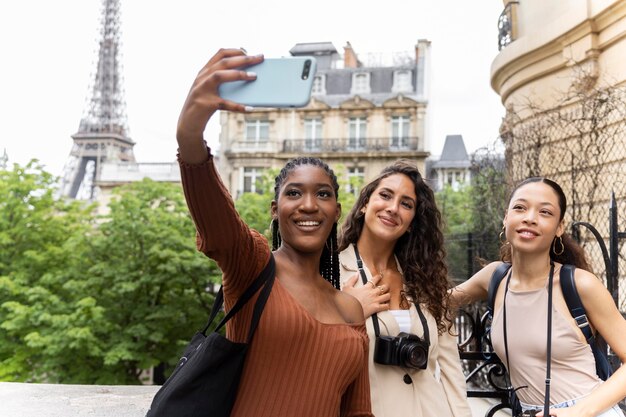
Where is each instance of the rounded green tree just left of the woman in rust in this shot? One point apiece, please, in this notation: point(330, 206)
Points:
point(149, 279)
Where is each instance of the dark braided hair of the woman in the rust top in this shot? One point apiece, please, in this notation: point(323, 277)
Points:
point(329, 262)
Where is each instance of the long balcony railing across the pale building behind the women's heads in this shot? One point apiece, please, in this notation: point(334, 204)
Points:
point(402, 144)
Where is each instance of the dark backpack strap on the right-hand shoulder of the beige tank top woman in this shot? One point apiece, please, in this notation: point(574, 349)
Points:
point(577, 311)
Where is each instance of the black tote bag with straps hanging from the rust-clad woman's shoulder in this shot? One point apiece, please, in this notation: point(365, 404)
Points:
point(206, 379)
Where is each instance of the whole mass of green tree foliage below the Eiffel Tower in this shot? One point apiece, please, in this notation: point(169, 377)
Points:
point(86, 299)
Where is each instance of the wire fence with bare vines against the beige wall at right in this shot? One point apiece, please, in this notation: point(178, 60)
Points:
point(582, 146)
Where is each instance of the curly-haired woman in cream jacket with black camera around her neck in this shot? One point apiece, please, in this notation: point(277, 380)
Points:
point(394, 229)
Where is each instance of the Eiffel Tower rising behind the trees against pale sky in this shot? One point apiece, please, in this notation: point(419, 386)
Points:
point(103, 132)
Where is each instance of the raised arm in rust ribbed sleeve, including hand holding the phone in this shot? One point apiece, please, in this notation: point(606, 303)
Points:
point(221, 233)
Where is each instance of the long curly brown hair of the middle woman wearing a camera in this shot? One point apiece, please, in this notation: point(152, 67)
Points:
point(421, 252)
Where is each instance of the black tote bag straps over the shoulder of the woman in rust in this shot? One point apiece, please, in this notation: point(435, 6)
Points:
point(266, 276)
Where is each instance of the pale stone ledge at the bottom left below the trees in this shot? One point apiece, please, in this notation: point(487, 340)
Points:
point(52, 400)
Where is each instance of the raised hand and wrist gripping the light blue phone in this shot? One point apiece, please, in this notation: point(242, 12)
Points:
point(203, 99)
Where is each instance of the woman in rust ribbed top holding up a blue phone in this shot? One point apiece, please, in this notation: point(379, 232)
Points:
point(309, 353)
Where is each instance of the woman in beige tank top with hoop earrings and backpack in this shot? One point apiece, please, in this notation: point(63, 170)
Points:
point(537, 247)
